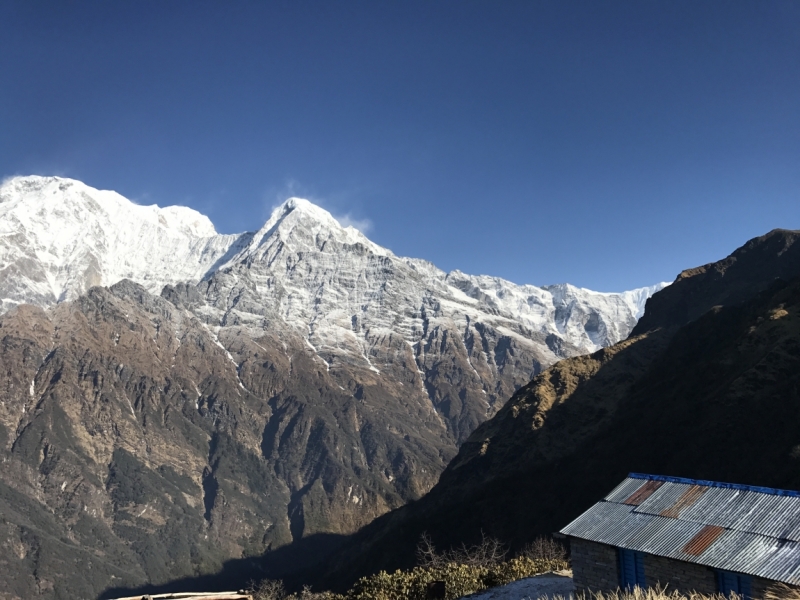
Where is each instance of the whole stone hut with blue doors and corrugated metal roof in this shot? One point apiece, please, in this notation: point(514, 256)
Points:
point(688, 535)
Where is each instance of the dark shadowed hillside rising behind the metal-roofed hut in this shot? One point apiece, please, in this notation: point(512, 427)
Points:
point(706, 387)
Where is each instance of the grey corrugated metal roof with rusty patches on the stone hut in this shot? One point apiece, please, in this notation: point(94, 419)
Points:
point(738, 528)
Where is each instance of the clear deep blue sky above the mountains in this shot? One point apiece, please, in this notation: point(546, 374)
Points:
point(607, 144)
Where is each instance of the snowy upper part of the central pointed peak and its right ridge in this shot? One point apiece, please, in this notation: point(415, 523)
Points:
point(345, 294)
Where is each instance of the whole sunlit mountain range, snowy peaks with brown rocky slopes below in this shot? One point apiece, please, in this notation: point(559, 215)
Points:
point(227, 395)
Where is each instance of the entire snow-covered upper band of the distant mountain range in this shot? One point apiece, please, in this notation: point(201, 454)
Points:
point(339, 290)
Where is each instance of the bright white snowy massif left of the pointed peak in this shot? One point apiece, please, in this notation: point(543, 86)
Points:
point(58, 237)
